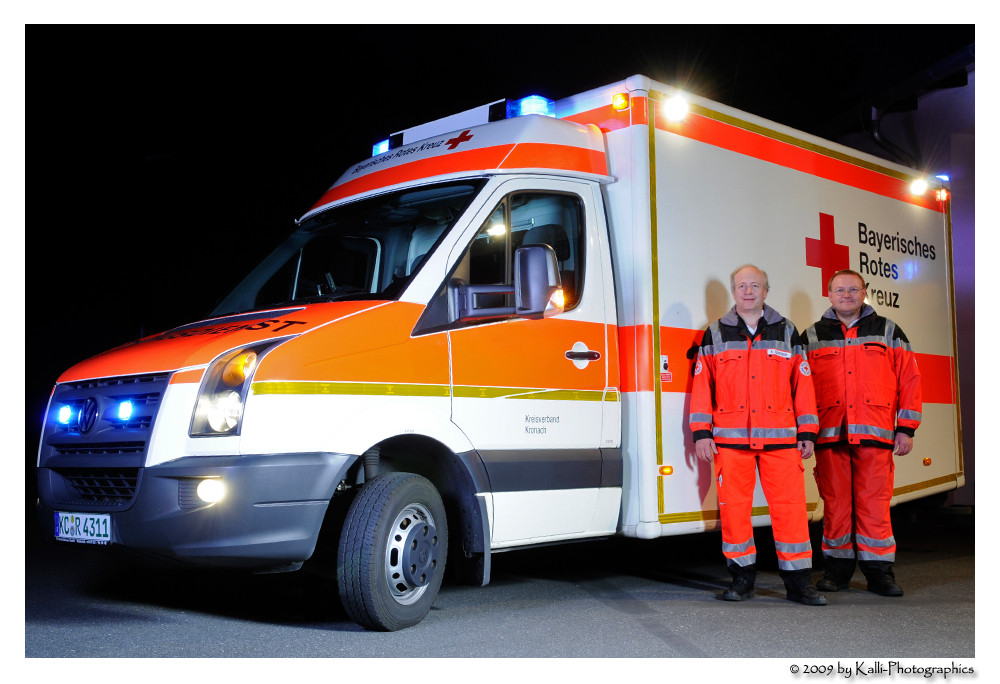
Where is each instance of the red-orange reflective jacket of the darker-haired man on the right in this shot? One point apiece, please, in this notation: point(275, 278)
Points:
point(867, 380)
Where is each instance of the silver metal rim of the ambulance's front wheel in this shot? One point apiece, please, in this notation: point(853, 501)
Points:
point(411, 557)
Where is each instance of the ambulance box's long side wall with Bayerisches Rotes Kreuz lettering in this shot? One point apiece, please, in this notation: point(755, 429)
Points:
point(728, 195)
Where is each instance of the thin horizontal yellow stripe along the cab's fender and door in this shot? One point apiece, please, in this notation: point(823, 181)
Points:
point(409, 390)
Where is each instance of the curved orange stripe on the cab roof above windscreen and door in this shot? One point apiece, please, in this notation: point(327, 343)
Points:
point(522, 155)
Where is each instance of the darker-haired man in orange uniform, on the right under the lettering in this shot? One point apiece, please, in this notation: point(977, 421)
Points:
point(869, 398)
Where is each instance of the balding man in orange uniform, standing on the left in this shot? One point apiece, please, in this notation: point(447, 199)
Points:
point(752, 408)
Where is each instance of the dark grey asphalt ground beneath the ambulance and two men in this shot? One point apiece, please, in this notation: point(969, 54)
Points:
point(611, 599)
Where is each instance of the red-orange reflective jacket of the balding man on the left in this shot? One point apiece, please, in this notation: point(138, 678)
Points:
point(753, 392)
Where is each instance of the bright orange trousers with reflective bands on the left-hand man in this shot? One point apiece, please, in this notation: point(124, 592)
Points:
point(783, 481)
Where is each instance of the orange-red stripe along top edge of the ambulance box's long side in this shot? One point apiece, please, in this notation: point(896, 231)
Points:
point(736, 139)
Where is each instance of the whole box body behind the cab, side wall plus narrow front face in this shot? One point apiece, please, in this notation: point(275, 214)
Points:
point(726, 191)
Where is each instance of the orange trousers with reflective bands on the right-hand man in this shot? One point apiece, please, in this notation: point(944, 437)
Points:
point(856, 485)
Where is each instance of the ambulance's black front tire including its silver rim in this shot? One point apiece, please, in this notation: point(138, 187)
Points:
point(392, 551)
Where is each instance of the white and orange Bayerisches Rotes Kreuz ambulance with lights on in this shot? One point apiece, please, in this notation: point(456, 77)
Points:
point(481, 339)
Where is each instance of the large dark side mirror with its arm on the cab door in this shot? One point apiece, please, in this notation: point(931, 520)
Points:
point(537, 290)
